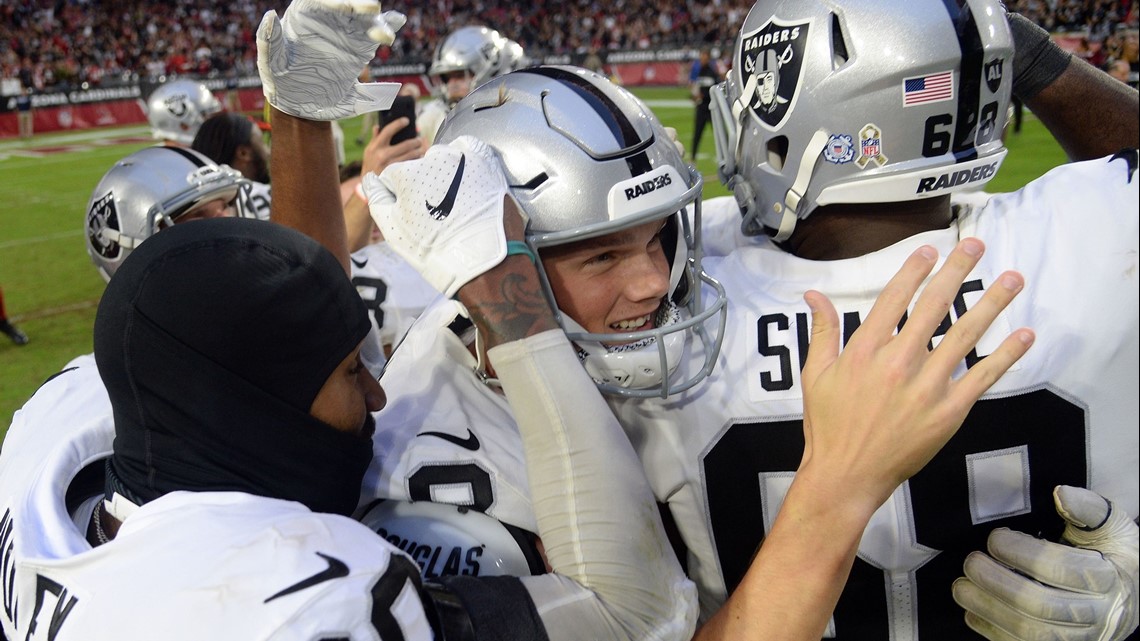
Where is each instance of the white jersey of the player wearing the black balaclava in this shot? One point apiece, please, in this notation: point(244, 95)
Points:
point(188, 566)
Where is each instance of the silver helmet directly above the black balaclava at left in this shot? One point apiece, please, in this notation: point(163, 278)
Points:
point(146, 192)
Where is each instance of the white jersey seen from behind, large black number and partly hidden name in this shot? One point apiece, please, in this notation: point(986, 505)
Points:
point(723, 455)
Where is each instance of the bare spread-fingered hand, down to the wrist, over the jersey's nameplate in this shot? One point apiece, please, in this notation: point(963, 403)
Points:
point(878, 412)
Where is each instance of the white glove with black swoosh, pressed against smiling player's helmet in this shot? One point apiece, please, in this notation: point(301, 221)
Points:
point(444, 213)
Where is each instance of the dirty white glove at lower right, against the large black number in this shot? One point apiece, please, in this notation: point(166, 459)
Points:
point(1030, 589)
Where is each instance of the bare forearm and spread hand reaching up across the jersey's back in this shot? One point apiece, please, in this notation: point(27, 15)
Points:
point(874, 416)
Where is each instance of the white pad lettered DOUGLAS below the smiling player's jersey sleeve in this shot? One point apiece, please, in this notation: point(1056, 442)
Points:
point(449, 540)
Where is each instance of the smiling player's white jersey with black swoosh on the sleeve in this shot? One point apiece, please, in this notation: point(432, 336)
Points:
point(445, 436)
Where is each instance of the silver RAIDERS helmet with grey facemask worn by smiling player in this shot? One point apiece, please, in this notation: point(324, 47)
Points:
point(584, 158)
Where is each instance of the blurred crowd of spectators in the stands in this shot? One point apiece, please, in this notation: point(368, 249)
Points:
point(71, 43)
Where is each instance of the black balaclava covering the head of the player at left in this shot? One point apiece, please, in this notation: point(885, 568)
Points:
point(214, 339)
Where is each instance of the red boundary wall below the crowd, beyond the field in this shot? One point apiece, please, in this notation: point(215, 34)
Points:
point(105, 107)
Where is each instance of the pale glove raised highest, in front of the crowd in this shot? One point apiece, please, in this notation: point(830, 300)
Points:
point(311, 60)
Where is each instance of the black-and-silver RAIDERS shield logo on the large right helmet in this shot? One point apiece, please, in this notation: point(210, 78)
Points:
point(772, 61)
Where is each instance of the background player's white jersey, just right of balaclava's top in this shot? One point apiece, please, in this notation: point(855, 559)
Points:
point(394, 293)
